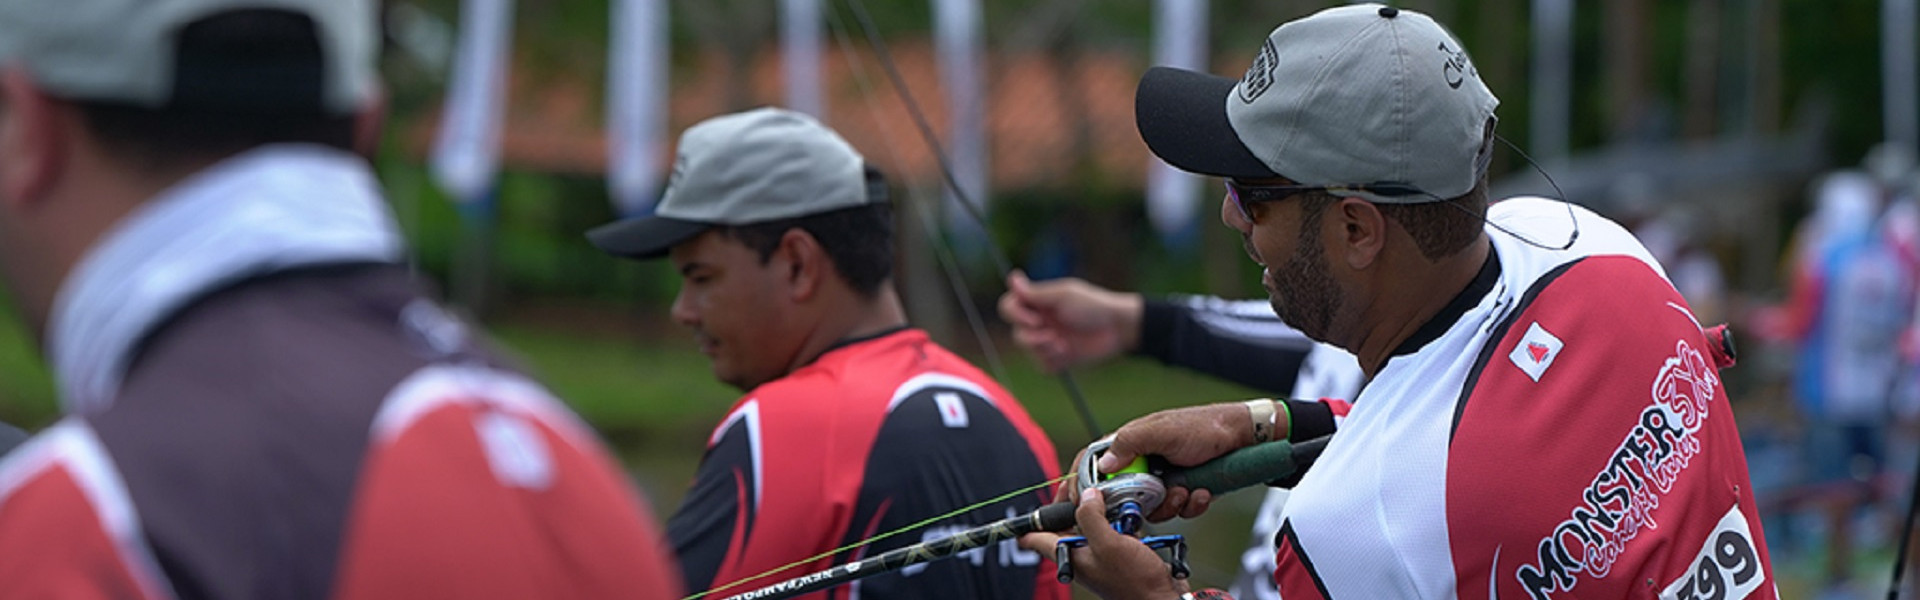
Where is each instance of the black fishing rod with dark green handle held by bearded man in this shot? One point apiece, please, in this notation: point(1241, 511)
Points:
point(1130, 497)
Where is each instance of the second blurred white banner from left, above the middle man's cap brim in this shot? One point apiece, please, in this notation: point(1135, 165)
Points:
point(636, 105)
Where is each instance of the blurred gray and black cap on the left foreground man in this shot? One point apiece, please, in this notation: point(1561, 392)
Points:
point(124, 51)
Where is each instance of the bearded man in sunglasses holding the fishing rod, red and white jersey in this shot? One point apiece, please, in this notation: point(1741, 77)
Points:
point(1543, 416)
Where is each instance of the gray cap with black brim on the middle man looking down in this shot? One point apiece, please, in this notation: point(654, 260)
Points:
point(748, 168)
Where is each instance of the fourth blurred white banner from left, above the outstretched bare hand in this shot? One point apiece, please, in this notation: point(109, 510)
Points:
point(957, 45)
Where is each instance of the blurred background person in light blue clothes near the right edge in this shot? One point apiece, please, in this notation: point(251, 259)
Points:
point(1852, 303)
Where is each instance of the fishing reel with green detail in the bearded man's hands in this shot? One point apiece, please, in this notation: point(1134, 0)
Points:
point(1132, 495)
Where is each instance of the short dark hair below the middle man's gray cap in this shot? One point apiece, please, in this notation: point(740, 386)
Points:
point(857, 239)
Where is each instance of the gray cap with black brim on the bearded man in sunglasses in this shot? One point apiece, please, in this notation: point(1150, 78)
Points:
point(1353, 95)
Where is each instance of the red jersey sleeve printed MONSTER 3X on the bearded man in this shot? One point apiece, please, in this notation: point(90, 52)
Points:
point(1595, 451)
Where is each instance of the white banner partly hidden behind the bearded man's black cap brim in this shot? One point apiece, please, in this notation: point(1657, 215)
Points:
point(1180, 41)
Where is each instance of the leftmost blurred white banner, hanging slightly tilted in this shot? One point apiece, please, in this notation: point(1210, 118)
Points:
point(468, 149)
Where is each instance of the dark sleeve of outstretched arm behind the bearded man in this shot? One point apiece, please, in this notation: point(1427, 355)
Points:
point(1172, 332)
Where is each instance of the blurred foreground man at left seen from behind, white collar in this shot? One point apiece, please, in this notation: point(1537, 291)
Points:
point(260, 399)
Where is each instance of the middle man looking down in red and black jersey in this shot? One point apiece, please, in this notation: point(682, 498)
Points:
point(852, 424)
